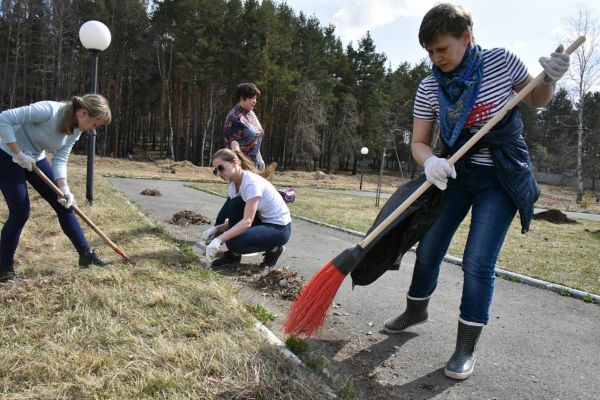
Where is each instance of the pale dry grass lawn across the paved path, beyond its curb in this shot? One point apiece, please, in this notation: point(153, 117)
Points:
point(563, 254)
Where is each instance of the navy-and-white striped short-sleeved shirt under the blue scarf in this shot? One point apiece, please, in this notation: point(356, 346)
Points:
point(502, 72)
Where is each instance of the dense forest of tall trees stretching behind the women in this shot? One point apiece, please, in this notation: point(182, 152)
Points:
point(172, 68)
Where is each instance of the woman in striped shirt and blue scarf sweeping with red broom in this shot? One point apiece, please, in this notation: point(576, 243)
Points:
point(468, 85)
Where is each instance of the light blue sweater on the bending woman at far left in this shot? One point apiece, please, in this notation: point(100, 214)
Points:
point(37, 128)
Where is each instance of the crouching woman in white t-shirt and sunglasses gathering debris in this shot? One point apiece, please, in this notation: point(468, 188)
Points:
point(253, 219)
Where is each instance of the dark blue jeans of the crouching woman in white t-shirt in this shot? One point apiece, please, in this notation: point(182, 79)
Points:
point(259, 237)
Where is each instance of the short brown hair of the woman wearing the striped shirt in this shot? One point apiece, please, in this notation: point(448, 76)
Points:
point(444, 19)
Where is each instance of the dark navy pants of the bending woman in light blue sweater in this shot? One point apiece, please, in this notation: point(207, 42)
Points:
point(14, 189)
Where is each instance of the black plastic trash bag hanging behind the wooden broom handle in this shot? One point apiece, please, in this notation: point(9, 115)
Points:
point(385, 252)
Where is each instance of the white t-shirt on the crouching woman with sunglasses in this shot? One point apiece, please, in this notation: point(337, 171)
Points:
point(271, 207)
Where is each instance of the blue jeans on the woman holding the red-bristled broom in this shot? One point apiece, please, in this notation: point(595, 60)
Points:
point(479, 189)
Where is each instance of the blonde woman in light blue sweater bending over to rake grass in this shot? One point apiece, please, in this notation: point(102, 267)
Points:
point(25, 134)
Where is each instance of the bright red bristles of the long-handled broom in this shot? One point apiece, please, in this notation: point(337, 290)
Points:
point(308, 312)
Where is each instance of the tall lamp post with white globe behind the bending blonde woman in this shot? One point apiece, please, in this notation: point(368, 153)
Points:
point(95, 37)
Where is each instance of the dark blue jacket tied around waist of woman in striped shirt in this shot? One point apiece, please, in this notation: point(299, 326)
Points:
point(511, 158)
